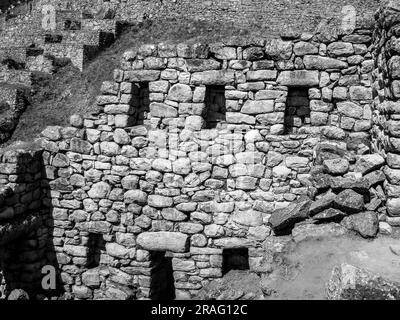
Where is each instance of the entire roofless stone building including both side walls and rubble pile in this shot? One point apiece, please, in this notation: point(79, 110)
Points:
point(202, 155)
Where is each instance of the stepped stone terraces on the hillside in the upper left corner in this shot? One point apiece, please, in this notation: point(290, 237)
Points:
point(32, 43)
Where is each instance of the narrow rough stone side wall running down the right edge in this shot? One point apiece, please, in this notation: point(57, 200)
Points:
point(386, 102)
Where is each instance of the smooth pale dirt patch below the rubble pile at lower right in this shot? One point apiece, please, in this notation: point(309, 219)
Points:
point(307, 267)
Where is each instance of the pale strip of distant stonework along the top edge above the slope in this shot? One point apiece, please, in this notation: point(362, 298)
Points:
point(271, 15)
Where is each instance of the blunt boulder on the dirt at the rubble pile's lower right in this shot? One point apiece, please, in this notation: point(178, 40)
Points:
point(365, 223)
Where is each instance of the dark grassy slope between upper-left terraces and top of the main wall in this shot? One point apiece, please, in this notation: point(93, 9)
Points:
point(70, 91)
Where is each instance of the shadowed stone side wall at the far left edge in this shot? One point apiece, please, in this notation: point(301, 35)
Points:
point(23, 222)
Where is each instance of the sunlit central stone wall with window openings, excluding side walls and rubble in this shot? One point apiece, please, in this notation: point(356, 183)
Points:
point(195, 148)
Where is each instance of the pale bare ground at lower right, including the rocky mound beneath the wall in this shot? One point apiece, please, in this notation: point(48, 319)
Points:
point(304, 267)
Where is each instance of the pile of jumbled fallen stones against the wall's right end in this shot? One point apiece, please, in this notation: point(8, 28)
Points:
point(347, 191)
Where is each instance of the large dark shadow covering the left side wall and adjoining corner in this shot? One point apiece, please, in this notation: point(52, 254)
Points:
point(26, 241)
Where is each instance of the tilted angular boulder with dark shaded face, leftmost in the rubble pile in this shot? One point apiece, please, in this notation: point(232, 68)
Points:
point(283, 219)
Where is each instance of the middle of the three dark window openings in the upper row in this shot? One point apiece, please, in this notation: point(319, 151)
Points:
point(215, 106)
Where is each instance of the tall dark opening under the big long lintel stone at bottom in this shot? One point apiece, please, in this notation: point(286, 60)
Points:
point(162, 285)
